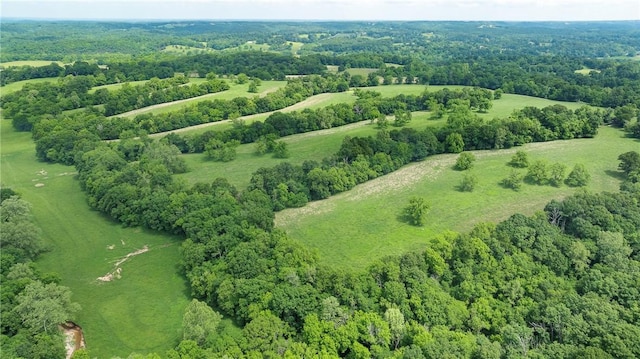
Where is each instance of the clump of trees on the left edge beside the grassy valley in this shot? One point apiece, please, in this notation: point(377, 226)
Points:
point(32, 304)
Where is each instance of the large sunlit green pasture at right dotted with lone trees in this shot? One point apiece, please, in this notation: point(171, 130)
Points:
point(352, 229)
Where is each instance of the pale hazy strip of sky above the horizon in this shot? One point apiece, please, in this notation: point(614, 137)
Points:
point(528, 10)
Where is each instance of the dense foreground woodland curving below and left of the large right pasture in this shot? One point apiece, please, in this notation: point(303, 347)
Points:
point(557, 284)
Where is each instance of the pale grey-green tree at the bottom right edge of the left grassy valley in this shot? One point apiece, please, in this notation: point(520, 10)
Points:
point(200, 322)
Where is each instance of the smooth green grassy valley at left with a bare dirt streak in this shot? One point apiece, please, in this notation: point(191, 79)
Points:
point(140, 312)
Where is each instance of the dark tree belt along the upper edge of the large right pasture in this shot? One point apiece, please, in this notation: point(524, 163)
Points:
point(361, 159)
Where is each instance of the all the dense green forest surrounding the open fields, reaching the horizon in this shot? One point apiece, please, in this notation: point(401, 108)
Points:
point(561, 283)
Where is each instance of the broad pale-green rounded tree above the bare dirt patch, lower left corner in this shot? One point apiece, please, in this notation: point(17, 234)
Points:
point(42, 307)
